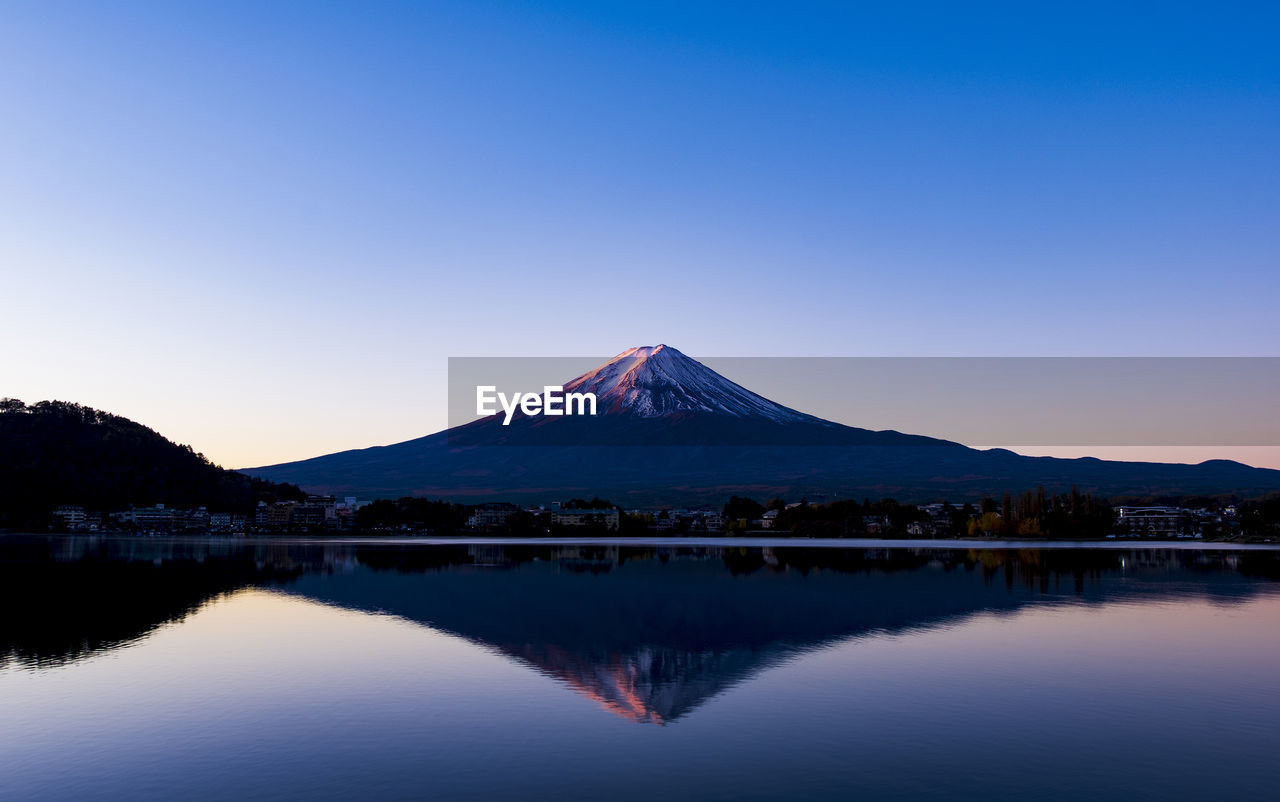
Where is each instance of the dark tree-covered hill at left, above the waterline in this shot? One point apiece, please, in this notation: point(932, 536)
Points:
point(61, 453)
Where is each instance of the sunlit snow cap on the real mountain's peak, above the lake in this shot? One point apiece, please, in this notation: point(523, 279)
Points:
point(657, 381)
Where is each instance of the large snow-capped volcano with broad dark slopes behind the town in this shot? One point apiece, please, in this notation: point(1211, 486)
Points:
point(673, 432)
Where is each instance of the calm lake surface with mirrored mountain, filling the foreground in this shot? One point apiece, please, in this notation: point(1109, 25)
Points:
point(158, 670)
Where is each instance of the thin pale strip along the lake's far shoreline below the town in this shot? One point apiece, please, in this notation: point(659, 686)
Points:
point(758, 543)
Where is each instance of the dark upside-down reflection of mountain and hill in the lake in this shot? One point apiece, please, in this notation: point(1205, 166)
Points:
point(650, 634)
